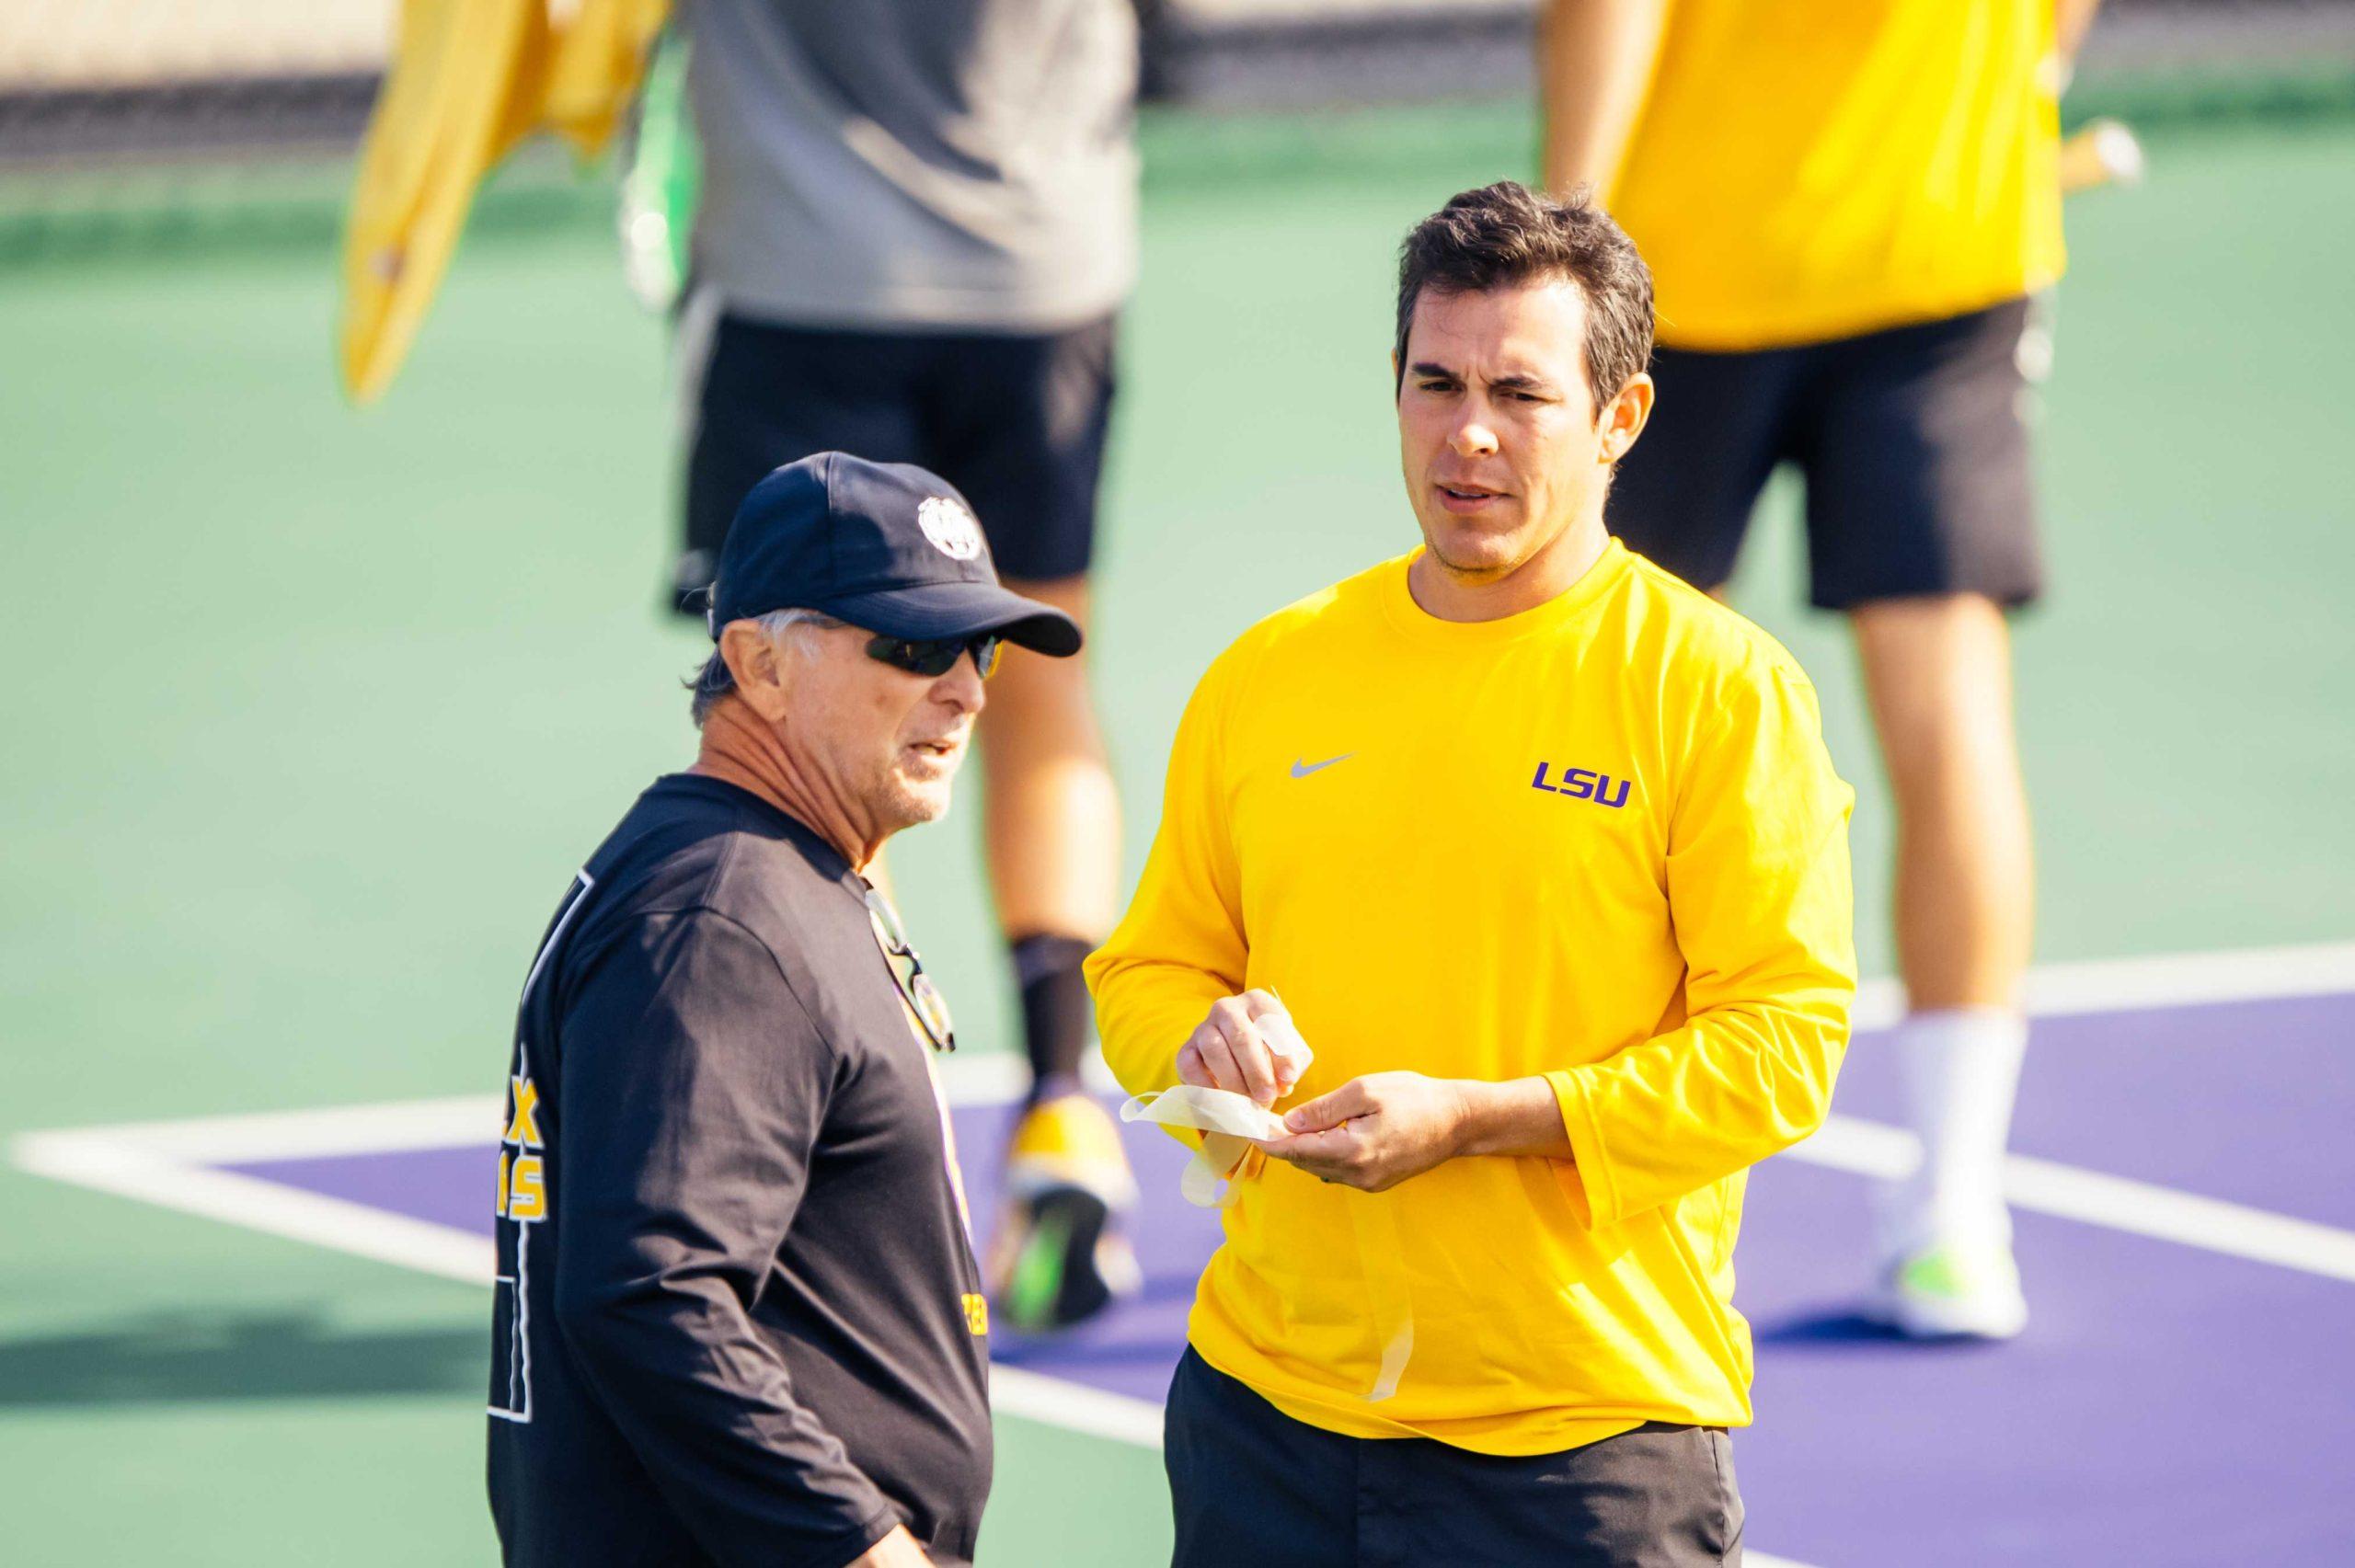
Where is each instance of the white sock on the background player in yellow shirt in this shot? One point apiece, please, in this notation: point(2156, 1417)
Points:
point(1963, 1070)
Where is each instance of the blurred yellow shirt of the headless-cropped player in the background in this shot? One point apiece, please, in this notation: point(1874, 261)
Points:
point(1803, 173)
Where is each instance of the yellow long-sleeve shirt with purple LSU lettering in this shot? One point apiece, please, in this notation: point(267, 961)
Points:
point(1598, 842)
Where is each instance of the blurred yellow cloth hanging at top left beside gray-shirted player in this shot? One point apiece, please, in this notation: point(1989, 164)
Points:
point(470, 81)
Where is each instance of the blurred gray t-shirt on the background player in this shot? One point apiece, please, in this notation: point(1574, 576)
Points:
point(917, 164)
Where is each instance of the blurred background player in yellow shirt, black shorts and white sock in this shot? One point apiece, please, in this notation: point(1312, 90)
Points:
point(1850, 213)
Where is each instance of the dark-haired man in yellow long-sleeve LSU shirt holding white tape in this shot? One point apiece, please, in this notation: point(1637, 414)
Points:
point(1544, 858)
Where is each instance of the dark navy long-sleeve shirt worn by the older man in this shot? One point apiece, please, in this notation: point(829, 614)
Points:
point(738, 1315)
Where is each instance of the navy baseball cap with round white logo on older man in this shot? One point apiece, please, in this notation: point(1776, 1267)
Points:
point(887, 547)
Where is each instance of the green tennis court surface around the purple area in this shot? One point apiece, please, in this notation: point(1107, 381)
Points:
point(314, 712)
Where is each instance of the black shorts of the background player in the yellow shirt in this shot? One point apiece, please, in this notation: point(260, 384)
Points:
point(1913, 446)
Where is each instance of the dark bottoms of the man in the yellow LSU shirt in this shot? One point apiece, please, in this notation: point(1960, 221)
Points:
point(1249, 1484)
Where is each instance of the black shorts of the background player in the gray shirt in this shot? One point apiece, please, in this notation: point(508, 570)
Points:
point(1014, 420)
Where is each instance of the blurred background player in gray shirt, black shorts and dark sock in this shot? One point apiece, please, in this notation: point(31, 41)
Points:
point(915, 232)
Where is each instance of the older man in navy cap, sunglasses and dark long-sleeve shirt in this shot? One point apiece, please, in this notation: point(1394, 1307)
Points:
point(738, 1320)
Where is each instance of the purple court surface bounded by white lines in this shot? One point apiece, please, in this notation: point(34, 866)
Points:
point(2168, 1404)
